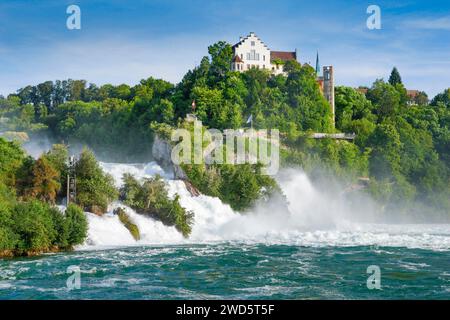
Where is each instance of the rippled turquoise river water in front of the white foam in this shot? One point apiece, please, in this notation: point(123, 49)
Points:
point(231, 271)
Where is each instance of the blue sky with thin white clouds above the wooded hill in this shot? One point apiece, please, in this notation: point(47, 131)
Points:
point(125, 41)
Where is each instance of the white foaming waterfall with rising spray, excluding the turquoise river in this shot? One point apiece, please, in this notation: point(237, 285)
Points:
point(316, 219)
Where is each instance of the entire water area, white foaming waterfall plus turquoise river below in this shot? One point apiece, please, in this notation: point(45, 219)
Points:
point(318, 251)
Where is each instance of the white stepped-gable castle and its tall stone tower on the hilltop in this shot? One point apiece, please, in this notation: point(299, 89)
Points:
point(251, 52)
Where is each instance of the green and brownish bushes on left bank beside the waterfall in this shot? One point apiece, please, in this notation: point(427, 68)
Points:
point(29, 222)
